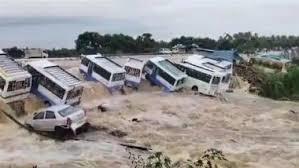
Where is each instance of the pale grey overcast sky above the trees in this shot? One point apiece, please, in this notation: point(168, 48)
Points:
point(56, 23)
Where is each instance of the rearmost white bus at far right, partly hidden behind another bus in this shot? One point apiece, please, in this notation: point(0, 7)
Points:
point(222, 66)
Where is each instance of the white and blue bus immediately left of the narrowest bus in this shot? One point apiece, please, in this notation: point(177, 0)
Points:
point(104, 70)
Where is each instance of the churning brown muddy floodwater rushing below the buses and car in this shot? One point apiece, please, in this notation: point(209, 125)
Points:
point(250, 130)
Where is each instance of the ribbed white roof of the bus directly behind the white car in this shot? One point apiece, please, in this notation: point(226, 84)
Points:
point(54, 71)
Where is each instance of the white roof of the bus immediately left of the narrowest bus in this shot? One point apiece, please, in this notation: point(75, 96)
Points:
point(106, 63)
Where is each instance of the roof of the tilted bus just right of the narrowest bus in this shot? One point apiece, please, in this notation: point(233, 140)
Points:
point(168, 66)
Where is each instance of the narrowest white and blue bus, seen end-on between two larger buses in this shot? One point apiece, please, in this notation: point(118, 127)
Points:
point(133, 68)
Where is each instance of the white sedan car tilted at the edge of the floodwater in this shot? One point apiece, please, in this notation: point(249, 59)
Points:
point(58, 119)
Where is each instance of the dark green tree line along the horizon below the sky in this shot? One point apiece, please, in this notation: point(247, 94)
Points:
point(93, 42)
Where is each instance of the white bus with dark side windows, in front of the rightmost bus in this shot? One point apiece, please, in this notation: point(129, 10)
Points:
point(202, 80)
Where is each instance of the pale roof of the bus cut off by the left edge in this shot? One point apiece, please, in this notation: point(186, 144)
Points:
point(10, 68)
